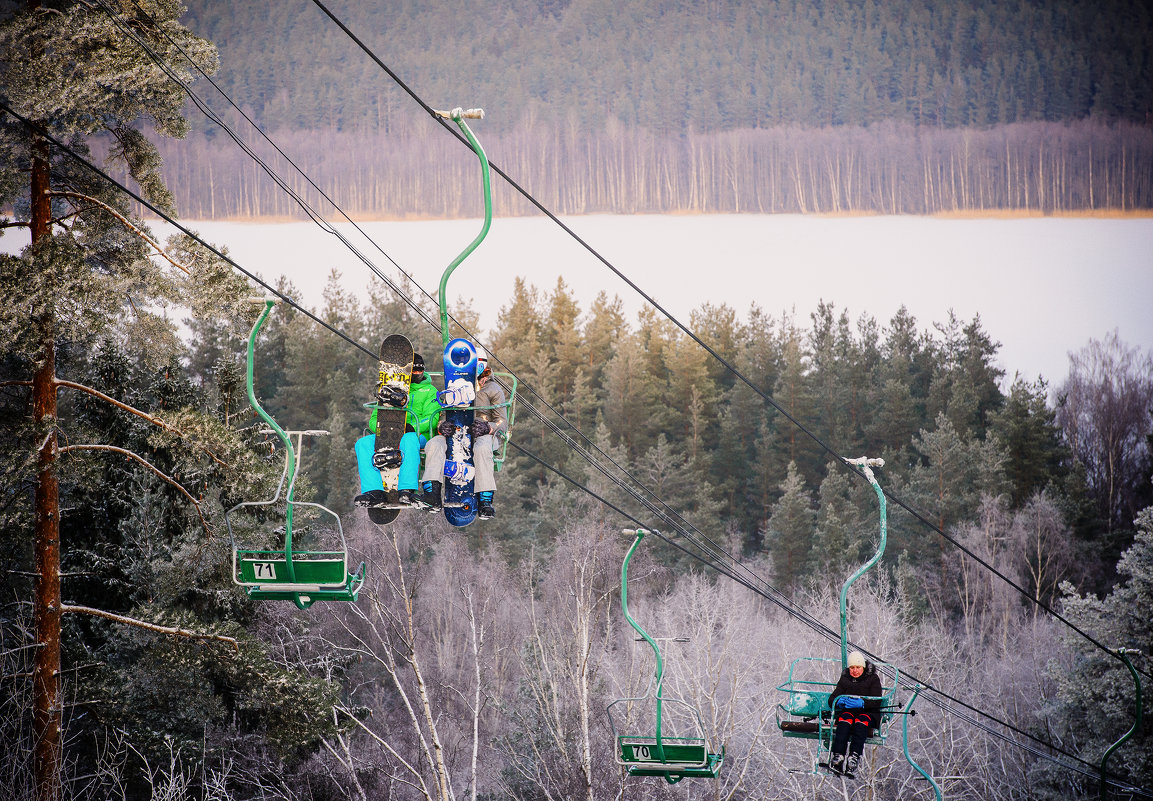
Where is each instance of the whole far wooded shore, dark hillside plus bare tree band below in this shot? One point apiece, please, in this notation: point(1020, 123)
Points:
point(700, 105)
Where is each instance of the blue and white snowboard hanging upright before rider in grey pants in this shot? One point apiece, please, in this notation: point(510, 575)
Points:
point(461, 375)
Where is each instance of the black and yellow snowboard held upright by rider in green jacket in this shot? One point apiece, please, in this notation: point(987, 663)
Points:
point(396, 375)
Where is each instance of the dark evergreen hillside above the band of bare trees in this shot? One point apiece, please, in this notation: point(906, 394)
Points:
point(705, 65)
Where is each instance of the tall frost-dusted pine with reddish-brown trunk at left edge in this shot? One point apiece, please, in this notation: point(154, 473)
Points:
point(124, 464)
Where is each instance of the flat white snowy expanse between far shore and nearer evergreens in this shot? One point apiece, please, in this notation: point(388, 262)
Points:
point(1043, 286)
